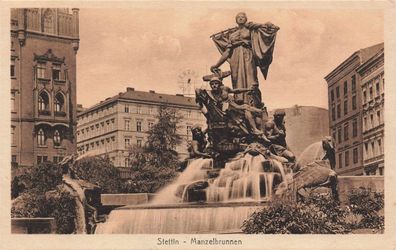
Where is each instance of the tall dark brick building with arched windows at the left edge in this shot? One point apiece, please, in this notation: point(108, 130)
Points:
point(44, 43)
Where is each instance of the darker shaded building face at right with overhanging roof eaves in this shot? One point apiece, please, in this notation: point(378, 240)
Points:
point(345, 111)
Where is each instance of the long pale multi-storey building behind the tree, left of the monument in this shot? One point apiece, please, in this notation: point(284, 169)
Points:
point(113, 125)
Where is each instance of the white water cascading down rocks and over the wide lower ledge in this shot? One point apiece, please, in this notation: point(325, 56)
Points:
point(238, 190)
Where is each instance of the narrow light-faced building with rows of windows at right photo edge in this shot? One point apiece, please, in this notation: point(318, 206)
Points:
point(373, 81)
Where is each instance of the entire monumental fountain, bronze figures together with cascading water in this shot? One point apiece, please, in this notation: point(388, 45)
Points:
point(239, 163)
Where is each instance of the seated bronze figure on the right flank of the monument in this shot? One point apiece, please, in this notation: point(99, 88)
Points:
point(275, 131)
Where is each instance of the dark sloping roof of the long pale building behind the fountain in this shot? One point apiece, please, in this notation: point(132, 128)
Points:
point(150, 97)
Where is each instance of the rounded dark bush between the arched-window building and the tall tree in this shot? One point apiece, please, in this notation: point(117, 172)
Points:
point(99, 171)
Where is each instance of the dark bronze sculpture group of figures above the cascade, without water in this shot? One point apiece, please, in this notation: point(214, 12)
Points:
point(237, 118)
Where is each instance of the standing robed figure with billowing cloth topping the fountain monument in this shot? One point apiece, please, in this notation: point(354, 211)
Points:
point(246, 47)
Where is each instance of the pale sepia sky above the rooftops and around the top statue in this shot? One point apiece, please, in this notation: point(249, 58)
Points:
point(150, 48)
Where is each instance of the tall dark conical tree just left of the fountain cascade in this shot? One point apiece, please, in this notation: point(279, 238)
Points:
point(155, 165)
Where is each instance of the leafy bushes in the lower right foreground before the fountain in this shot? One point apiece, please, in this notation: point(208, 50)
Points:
point(318, 214)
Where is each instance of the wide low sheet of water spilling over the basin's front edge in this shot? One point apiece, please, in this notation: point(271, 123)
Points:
point(186, 218)
